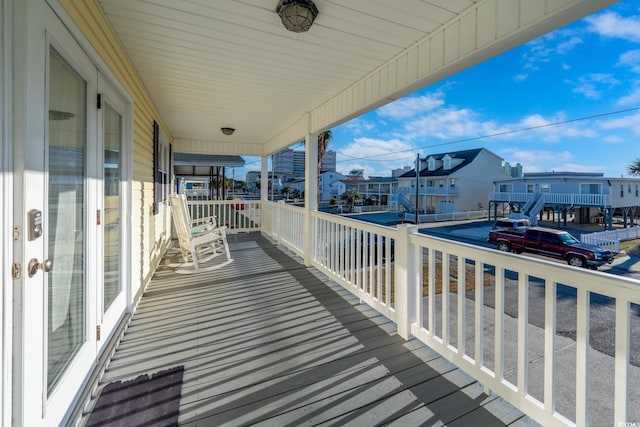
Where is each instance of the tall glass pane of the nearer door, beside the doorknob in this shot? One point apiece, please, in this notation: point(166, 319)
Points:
point(66, 305)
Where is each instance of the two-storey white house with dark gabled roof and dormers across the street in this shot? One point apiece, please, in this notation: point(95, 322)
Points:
point(454, 181)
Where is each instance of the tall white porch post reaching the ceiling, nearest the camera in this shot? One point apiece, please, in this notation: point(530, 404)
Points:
point(310, 193)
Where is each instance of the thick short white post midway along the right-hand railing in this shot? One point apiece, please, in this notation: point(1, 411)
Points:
point(406, 279)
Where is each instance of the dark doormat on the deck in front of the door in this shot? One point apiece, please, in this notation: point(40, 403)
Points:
point(144, 401)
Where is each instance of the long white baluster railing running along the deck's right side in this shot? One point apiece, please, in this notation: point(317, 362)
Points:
point(498, 316)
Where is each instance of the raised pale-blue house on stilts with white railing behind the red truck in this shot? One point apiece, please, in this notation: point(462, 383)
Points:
point(586, 198)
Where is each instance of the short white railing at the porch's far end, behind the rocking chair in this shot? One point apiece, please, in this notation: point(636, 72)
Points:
point(237, 215)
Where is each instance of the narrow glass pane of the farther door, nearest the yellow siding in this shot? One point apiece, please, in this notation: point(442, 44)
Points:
point(112, 165)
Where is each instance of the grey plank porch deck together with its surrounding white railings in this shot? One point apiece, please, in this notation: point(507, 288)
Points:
point(281, 336)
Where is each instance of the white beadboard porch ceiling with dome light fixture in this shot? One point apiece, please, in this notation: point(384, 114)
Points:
point(230, 63)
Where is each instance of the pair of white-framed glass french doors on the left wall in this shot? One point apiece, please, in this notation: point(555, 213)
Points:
point(72, 195)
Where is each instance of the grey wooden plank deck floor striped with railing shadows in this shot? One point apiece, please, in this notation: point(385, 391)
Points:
point(267, 341)
